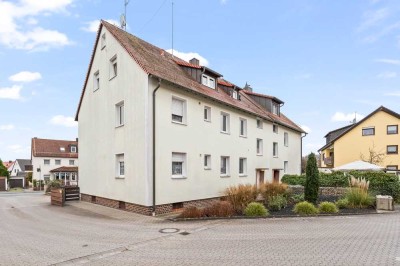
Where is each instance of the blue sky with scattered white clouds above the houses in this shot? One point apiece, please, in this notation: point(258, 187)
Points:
point(325, 59)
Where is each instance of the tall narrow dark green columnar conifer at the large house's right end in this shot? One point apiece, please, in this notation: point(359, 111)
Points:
point(311, 189)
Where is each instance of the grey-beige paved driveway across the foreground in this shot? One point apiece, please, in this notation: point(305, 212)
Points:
point(34, 233)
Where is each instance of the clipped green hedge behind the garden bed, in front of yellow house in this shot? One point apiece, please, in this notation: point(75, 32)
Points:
point(379, 182)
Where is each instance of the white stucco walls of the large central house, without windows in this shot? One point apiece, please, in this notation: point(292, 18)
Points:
point(102, 142)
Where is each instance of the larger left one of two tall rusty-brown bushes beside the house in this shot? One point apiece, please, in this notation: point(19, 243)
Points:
point(240, 196)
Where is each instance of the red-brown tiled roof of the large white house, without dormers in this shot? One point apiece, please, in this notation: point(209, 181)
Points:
point(160, 64)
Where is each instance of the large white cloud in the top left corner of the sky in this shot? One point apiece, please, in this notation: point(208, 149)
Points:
point(17, 19)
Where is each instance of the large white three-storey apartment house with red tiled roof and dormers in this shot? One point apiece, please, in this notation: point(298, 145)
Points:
point(158, 133)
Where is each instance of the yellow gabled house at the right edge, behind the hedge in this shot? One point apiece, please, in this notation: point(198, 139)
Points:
point(374, 139)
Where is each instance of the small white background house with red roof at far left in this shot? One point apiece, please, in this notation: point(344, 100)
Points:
point(55, 160)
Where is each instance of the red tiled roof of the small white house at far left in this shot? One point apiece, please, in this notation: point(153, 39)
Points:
point(53, 148)
